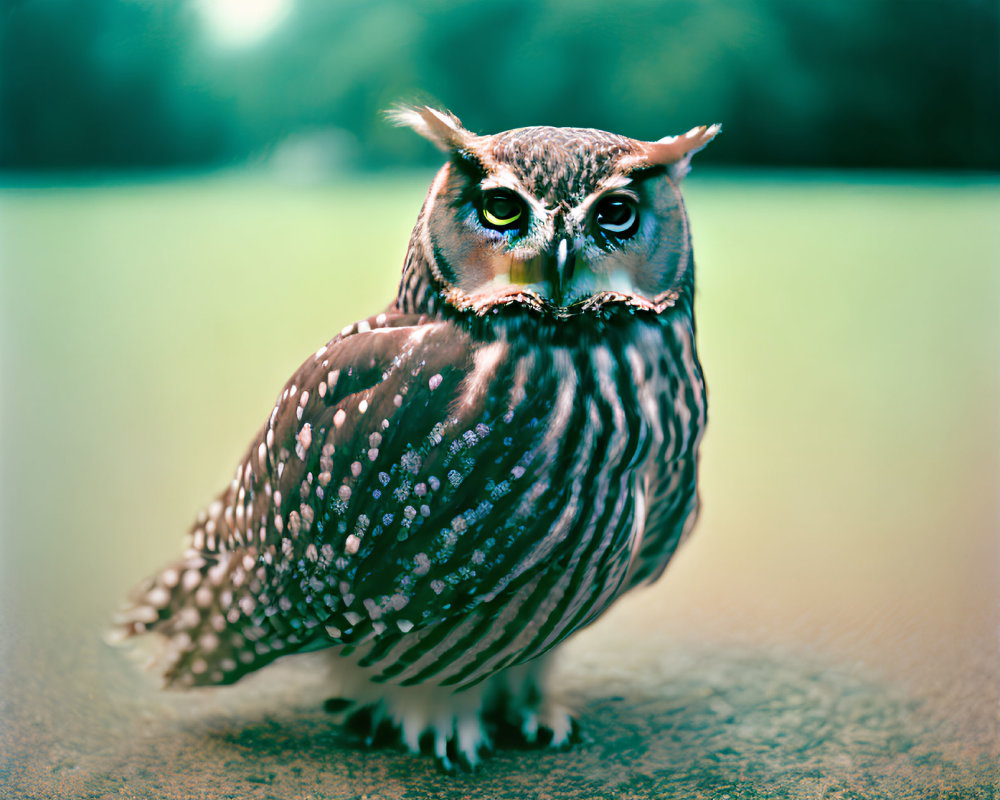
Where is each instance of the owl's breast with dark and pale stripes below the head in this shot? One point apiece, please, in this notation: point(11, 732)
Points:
point(558, 454)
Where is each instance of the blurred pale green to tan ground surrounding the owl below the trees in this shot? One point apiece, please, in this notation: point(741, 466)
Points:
point(847, 558)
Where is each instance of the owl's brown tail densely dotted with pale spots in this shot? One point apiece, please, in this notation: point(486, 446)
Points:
point(205, 609)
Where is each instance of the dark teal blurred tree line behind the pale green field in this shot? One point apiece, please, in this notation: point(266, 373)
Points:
point(95, 84)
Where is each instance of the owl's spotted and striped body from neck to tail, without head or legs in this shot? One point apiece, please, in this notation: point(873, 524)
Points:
point(441, 499)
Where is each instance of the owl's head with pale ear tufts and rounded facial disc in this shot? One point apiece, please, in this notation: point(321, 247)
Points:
point(565, 221)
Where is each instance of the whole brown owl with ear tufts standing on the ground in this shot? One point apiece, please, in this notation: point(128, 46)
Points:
point(445, 491)
